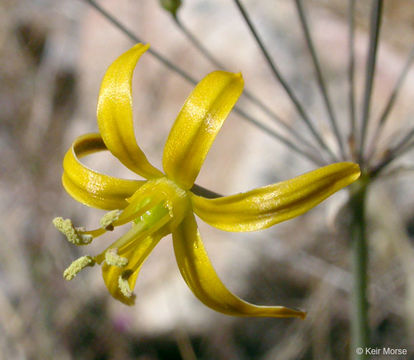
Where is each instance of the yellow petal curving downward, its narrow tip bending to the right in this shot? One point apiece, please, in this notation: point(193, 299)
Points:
point(200, 276)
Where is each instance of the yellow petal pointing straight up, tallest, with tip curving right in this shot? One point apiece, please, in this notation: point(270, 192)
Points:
point(115, 113)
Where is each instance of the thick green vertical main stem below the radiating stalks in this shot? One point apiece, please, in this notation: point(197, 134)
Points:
point(359, 316)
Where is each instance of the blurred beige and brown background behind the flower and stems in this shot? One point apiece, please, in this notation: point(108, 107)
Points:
point(53, 57)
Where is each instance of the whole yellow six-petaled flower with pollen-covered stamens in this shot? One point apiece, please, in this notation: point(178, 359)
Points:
point(164, 203)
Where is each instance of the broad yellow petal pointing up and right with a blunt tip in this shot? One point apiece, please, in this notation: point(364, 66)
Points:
point(197, 125)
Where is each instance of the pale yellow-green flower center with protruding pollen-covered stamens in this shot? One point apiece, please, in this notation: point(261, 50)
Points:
point(156, 209)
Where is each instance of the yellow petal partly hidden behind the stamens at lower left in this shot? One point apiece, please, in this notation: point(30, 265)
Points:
point(136, 255)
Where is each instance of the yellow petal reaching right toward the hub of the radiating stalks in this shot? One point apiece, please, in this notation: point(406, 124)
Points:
point(263, 207)
